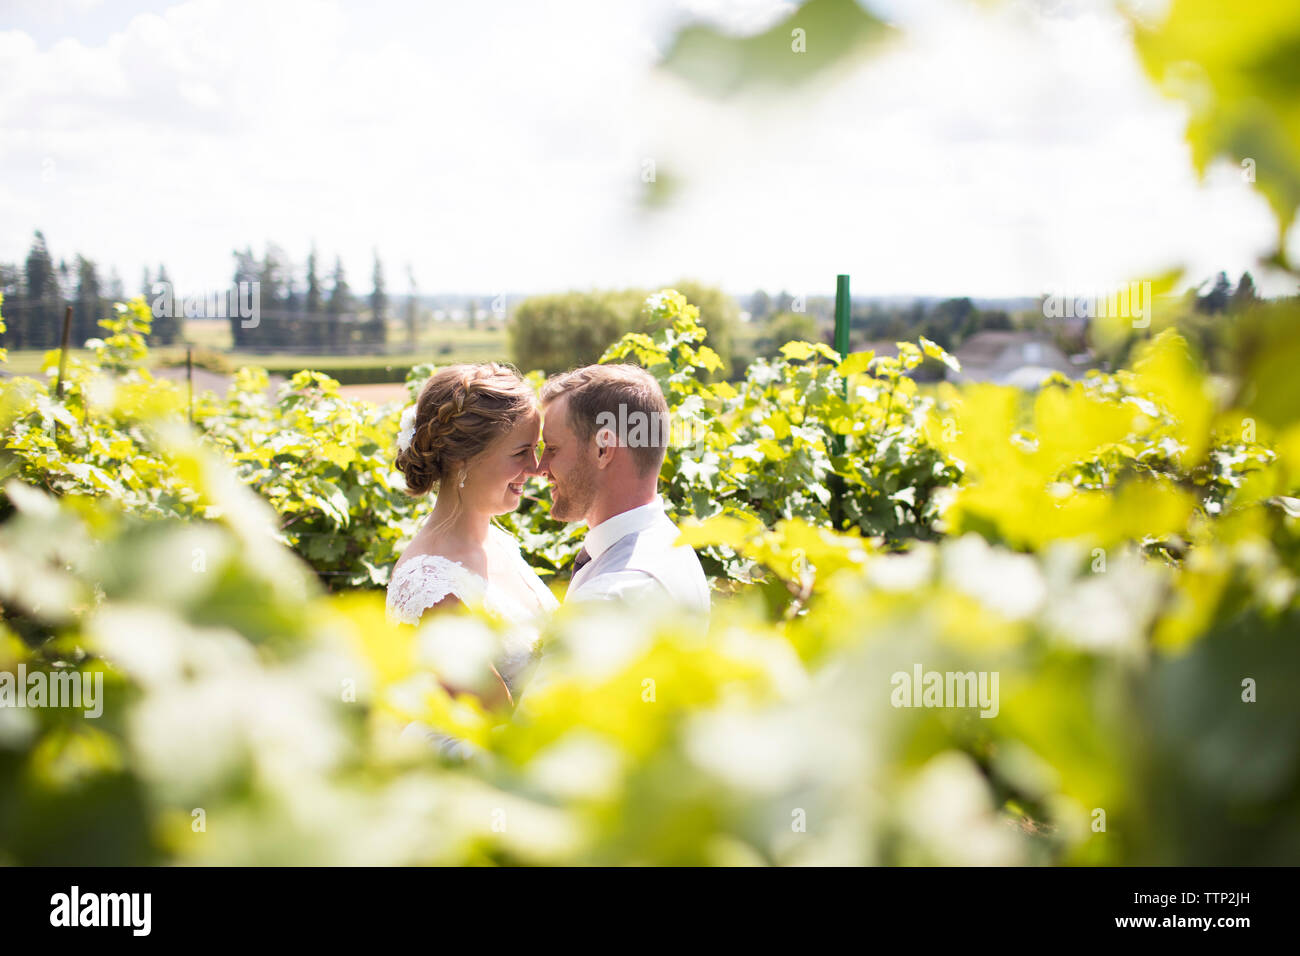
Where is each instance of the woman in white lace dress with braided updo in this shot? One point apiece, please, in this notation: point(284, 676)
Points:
point(473, 435)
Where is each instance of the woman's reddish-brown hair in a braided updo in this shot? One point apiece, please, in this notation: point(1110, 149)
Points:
point(461, 412)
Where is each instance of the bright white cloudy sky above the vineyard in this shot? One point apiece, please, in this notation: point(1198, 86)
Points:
point(500, 148)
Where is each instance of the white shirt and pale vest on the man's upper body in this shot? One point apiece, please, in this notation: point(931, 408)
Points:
point(634, 559)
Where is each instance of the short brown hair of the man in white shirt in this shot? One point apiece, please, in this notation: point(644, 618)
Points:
point(627, 396)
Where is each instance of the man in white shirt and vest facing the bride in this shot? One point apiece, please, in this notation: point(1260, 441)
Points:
point(606, 432)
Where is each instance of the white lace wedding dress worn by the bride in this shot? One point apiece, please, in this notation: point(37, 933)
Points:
point(424, 581)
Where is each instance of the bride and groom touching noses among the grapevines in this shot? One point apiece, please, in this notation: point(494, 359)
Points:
point(473, 436)
